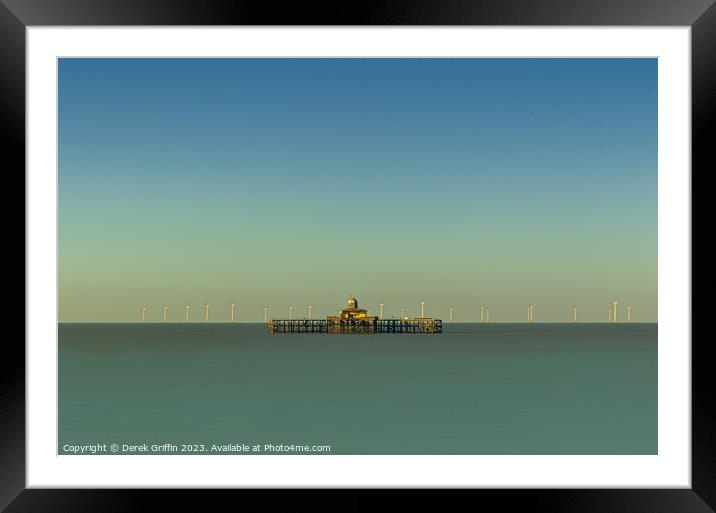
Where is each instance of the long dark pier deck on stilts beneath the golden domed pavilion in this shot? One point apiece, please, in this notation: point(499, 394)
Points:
point(348, 326)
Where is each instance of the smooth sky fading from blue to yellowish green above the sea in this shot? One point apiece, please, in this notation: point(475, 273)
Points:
point(463, 182)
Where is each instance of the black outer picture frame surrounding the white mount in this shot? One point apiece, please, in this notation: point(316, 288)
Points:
point(16, 15)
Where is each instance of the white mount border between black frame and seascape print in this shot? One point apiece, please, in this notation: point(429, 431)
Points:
point(672, 465)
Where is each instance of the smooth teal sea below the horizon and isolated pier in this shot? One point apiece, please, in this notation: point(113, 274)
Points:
point(475, 389)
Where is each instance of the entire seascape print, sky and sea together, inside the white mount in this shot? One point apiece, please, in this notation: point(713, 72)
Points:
point(365, 256)
